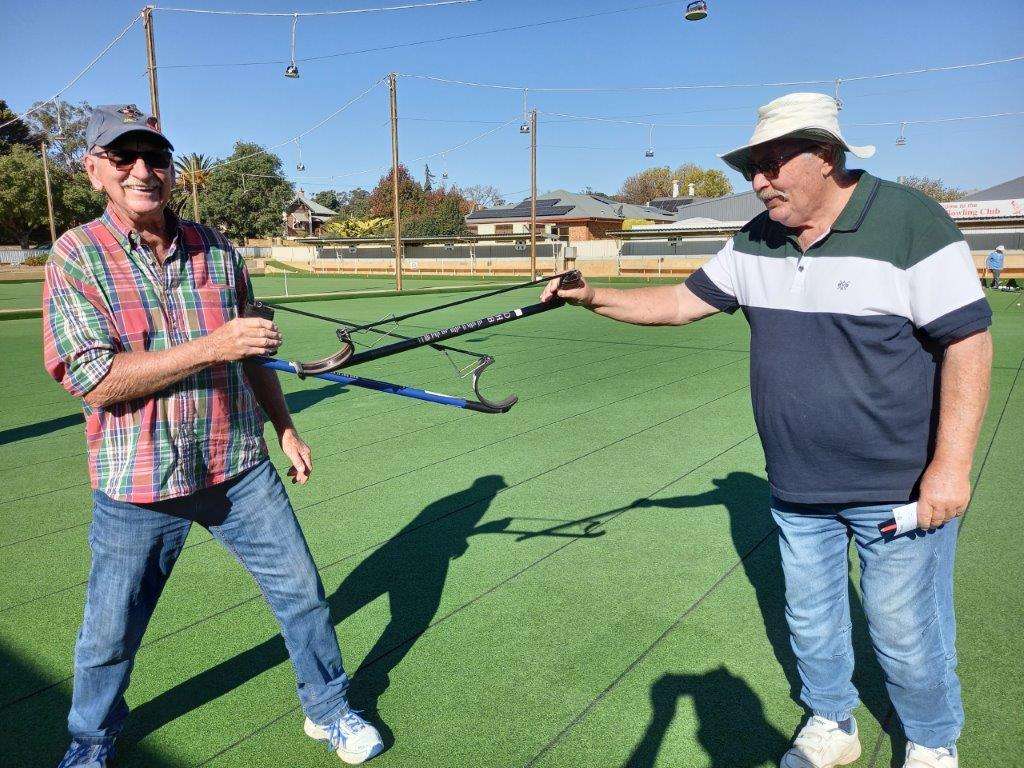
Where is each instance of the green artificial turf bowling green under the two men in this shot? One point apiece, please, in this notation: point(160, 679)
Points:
point(654, 638)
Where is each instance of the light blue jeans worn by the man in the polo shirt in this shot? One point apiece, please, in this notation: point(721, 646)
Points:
point(908, 594)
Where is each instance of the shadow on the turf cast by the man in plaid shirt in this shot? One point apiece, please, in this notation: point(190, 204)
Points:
point(410, 569)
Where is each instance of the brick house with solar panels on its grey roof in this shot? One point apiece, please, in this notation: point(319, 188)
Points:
point(574, 216)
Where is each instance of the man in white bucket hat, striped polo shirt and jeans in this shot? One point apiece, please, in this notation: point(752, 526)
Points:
point(870, 371)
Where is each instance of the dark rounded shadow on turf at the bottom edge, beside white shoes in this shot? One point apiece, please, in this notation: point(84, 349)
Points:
point(733, 729)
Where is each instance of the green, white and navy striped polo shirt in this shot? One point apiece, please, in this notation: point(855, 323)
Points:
point(847, 340)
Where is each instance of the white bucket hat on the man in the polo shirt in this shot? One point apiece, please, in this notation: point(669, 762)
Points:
point(814, 116)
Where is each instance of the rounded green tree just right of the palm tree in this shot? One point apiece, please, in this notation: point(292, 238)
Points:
point(246, 195)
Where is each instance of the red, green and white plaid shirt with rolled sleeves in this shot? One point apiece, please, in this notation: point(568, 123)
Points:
point(106, 293)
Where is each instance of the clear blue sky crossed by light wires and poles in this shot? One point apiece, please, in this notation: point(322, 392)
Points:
point(206, 109)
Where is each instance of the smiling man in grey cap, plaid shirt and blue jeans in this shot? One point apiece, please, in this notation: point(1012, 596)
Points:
point(143, 321)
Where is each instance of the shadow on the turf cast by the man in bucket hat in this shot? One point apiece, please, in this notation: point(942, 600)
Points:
point(747, 498)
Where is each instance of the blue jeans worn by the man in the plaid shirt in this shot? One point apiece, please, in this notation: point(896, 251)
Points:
point(135, 548)
